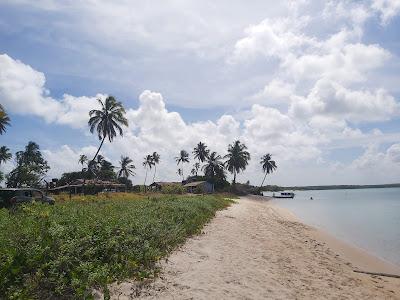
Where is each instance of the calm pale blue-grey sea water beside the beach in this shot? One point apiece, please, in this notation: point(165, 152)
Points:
point(366, 218)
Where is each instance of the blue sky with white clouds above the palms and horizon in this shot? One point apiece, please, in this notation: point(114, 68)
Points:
point(314, 83)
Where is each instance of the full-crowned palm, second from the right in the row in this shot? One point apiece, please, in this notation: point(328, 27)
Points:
point(237, 159)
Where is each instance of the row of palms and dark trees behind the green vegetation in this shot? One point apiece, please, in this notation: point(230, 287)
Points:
point(107, 123)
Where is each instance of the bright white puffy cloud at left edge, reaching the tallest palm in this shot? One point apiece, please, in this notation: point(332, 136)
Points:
point(22, 91)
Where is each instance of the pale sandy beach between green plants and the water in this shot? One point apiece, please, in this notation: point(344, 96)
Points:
point(257, 250)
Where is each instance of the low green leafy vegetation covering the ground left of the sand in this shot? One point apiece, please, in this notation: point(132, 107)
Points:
point(64, 251)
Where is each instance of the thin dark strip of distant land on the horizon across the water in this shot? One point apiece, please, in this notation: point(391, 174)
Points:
point(274, 188)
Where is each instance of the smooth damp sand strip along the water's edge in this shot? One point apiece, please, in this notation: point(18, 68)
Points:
point(361, 259)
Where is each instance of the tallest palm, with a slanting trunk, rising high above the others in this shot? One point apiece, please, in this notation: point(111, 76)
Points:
point(108, 120)
